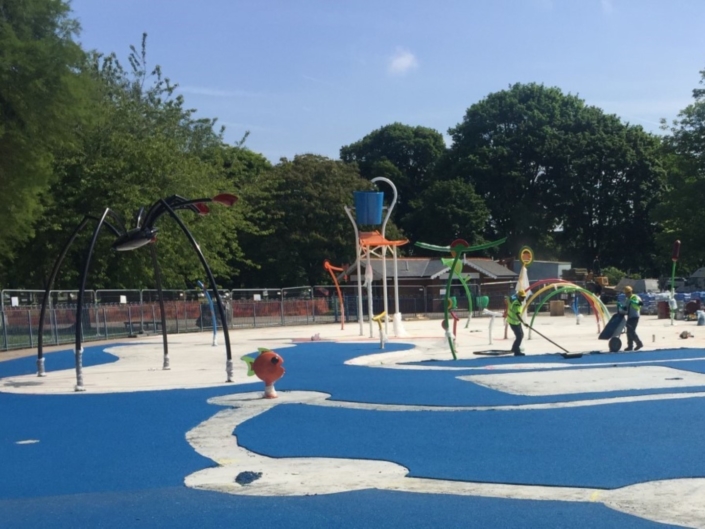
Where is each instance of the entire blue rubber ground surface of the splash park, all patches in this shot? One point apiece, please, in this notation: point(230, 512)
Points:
point(119, 460)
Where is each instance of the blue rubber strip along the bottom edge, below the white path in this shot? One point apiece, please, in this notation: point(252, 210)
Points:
point(179, 507)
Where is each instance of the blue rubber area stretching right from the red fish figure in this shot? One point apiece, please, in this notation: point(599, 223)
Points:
point(319, 367)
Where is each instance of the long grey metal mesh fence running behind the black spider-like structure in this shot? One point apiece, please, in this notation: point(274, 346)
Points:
point(113, 314)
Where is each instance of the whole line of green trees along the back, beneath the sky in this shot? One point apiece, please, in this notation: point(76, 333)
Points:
point(80, 132)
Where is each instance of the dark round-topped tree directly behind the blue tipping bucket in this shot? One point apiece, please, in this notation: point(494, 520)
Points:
point(406, 155)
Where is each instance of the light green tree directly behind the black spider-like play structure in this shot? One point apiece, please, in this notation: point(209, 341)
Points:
point(141, 145)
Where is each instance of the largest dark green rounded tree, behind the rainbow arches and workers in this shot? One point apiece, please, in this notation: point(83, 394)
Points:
point(560, 176)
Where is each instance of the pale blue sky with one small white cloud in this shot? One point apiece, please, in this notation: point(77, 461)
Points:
point(311, 76)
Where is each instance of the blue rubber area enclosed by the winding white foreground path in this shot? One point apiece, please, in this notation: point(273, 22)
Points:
point(596, 446)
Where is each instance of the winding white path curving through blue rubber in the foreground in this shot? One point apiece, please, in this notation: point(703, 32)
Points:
point(677, 501)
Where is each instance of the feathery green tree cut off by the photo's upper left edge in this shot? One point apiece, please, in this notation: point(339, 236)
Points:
point(41, 87)
